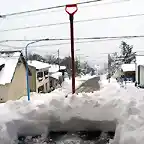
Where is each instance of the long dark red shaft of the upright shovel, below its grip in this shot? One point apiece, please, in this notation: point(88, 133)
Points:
point(72, 52)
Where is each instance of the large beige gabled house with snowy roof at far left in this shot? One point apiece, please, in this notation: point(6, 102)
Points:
point(12, 75)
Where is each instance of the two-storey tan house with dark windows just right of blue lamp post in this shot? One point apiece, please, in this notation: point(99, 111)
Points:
point(39, 81)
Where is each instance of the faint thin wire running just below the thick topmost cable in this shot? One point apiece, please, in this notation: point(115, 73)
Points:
point(99, 4)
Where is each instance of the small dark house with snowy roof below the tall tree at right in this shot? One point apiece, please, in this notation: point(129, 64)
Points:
point(129, 71)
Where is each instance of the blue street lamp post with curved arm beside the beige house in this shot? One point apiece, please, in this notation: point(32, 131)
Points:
point(26, 56)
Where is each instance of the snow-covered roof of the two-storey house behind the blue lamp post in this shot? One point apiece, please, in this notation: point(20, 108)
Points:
point(38, 64)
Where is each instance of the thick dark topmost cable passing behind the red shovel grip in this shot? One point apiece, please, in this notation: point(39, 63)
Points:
point(43, 9)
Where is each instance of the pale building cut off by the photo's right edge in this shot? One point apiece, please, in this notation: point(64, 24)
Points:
point(140, 70)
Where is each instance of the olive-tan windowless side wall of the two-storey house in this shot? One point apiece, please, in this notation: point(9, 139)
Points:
point(32, 79)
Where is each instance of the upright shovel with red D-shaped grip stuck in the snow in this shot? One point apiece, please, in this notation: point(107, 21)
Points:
point(74, 9)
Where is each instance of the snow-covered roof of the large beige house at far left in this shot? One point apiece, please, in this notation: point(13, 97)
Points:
point(9, 63)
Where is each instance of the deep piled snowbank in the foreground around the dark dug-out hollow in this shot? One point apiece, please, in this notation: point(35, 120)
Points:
point(111, 103)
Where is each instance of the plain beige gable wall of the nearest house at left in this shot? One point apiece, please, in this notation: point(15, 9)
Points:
point(17, 88)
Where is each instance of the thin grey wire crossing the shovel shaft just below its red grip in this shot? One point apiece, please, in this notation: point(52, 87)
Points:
point(78, 21)
